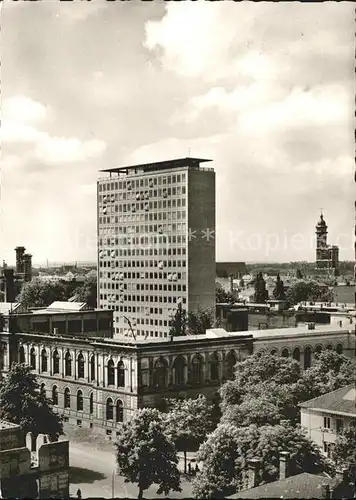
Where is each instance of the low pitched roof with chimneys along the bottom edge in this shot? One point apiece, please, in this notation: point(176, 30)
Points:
point(303, 485)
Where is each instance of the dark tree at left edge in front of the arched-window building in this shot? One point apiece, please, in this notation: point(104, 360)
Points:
point(22, 402)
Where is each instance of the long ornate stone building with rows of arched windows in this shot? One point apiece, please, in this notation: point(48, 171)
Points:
point(98, 383)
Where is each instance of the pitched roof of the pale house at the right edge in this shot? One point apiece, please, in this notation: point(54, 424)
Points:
point(340, 401)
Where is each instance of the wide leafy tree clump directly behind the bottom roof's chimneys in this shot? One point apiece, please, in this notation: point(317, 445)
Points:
point(228, 449)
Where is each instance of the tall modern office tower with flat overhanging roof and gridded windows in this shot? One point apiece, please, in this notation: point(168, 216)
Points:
point(156, 243)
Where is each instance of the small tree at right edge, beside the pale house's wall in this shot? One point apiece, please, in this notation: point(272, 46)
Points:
point(344, 451)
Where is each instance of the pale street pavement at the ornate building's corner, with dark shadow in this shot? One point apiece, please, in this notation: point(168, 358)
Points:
point(93, 471)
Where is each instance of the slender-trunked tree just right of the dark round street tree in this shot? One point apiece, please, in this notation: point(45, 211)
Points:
point(187, 423)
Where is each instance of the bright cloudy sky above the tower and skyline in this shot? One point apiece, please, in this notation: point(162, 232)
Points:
point(265, 90)
